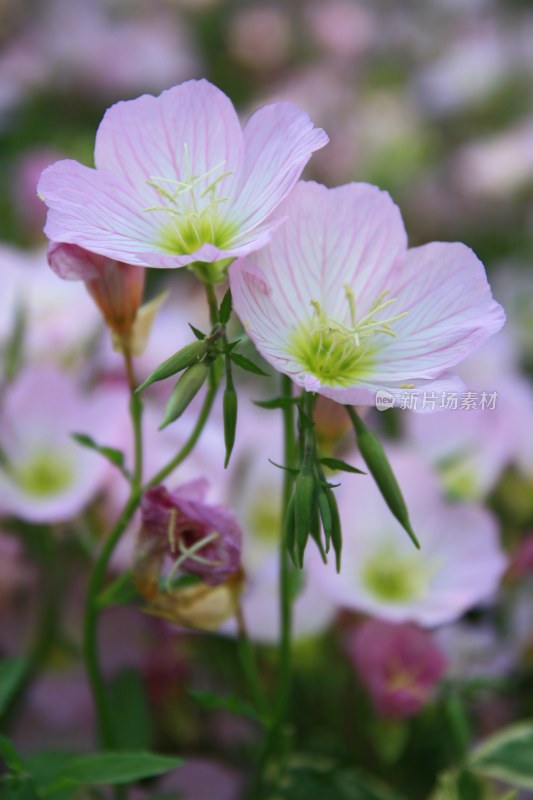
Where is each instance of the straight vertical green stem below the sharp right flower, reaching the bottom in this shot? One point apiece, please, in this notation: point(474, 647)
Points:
point(285, 607)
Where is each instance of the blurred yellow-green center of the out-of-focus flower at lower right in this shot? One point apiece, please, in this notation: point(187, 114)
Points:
point(396, 578)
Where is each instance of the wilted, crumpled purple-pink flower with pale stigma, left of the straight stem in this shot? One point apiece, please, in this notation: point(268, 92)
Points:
point(201, 539)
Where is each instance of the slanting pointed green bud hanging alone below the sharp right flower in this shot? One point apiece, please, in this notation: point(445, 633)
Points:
point(377, 462)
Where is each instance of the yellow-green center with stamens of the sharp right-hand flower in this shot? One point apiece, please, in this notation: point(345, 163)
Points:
point(339, 354)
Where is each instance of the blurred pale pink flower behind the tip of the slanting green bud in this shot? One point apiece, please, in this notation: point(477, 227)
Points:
point(460, 563)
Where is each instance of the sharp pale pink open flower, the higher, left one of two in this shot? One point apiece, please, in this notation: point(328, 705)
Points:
point(177, 180)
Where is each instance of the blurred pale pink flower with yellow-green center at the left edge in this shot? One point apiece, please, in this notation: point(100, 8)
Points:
point(47, 476)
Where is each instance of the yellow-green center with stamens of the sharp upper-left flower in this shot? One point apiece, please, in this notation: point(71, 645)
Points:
point(193, 208)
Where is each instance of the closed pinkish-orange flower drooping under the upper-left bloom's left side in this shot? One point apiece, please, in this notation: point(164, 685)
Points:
point(116, 288)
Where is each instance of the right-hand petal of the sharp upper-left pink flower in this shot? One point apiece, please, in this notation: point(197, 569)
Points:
point(279, 140)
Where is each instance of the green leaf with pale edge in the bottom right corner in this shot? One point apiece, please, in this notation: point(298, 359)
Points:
point(507, 756)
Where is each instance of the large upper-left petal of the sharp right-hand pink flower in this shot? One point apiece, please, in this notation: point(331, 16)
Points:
point(349, 235)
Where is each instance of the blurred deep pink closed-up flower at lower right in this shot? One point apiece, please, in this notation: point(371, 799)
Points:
point(399, 665)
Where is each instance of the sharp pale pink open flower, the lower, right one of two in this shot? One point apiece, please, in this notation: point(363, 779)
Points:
point(338, 303)
